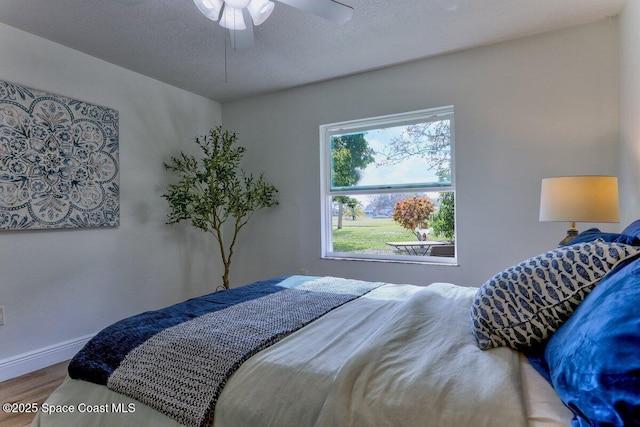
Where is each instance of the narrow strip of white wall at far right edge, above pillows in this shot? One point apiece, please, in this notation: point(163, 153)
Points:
point(630, 111)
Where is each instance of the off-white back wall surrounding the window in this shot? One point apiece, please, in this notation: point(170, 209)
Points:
point(537, 107)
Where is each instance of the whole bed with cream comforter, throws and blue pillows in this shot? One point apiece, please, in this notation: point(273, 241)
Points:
point(533, 346)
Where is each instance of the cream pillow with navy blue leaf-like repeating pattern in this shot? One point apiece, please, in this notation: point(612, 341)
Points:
point(523, 305)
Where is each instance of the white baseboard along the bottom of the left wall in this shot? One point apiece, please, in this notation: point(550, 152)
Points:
point(32, 361)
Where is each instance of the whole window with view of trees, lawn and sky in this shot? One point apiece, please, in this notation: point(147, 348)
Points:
point(388, 190)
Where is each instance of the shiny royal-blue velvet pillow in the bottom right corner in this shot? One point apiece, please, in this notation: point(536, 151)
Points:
point(593, 359)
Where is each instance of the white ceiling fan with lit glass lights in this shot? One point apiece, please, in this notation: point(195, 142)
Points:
point(235, 14)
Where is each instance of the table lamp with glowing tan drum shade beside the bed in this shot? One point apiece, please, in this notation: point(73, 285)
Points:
point(591, 198)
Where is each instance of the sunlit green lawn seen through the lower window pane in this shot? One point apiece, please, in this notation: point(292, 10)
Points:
point(368, 235)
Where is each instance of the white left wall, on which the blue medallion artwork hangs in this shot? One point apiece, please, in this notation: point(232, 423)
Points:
point(59, 286)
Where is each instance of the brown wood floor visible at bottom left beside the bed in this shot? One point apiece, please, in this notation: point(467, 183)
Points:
point(33, 387)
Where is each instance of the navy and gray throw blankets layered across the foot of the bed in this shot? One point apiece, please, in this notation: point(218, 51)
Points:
point(177, 360)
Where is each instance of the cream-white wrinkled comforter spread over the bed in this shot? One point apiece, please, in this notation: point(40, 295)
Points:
point(400, 356)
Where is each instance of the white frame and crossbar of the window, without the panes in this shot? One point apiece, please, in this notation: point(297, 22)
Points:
point(327, 193)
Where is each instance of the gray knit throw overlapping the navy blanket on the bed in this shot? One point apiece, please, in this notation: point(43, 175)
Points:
point(181, 371)
